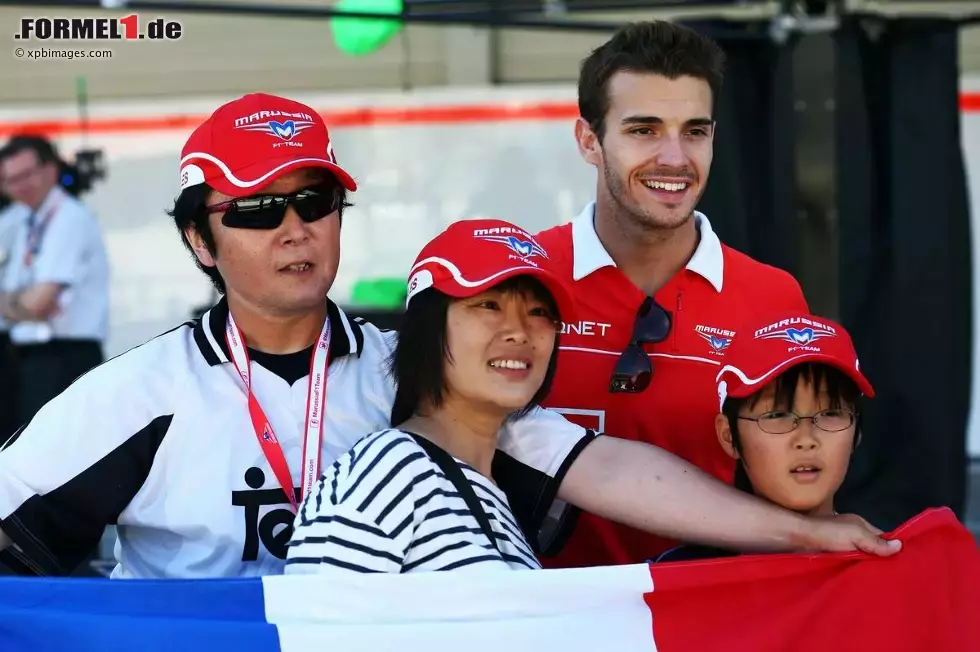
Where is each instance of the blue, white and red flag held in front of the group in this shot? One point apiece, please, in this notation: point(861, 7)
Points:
point(926, 598)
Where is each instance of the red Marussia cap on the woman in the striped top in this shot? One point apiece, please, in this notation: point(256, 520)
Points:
point(472, 256)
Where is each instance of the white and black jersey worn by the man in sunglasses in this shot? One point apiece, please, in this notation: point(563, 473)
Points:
point(159, 442)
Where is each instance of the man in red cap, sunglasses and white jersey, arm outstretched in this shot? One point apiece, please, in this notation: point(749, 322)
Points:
point(200, 444)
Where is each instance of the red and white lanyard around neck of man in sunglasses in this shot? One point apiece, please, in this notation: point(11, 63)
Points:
point(316, 400)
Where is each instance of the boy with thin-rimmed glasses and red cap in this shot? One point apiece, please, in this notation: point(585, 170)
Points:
point(790, 393)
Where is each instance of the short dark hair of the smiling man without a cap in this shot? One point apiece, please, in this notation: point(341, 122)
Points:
point(657, 47)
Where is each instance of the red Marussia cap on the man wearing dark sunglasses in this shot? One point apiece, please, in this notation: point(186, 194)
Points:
point(248, 143)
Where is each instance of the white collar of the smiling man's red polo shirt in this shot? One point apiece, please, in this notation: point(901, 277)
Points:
point(589, 255)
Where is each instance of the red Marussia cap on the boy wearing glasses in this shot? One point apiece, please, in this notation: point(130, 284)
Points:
point(764, 348)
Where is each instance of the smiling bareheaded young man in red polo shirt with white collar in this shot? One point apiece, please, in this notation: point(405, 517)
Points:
point(659, 295)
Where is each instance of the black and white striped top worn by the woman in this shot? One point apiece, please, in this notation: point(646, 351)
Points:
point(386, 507)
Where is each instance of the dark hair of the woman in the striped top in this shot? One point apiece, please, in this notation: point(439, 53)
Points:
point(417, 362)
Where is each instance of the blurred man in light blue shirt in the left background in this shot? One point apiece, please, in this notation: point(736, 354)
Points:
point(54, 292)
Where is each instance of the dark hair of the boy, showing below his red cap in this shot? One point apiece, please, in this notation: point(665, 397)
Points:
point(843, 392)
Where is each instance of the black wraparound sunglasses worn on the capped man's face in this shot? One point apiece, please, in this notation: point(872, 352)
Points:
point(268, 211)
